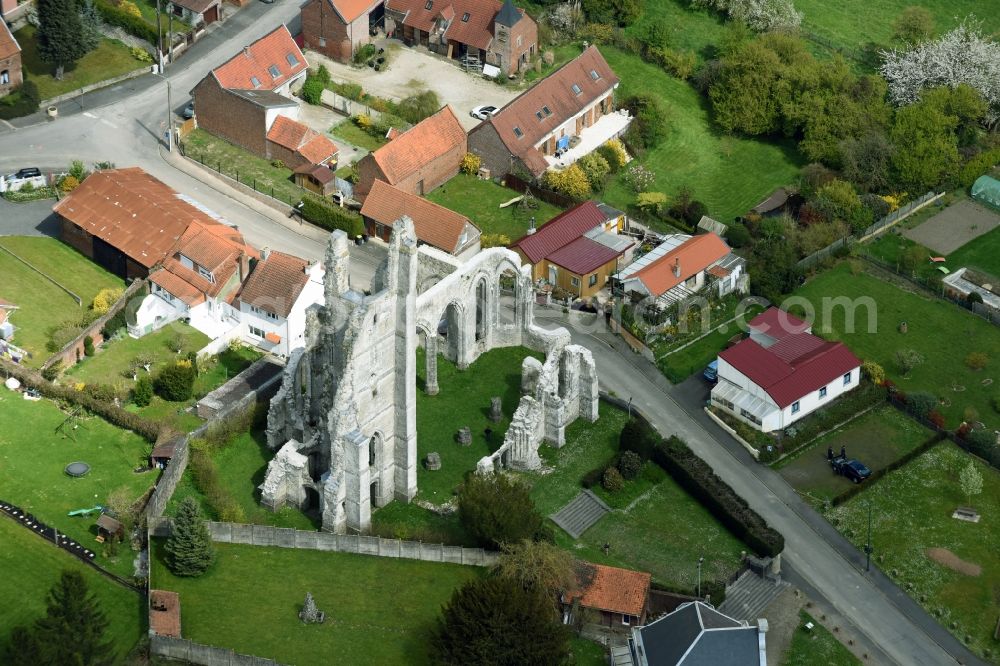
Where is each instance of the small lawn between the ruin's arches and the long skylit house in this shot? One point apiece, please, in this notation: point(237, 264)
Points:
point(480, 200)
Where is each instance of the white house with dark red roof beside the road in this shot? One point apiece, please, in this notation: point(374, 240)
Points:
point(782, 372)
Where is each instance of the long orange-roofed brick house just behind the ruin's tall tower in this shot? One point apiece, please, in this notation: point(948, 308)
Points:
point(435, 225)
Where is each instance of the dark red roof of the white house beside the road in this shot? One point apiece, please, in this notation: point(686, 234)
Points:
point(797, 365)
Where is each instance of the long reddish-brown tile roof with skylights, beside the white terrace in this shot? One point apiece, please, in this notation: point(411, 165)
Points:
point(555, 92)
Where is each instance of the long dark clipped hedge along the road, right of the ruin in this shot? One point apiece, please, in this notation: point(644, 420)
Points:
point(697, 478)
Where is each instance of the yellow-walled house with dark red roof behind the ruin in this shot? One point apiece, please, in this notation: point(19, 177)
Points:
point(578, 250)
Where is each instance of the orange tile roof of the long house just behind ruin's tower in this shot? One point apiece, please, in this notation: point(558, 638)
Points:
point(433, 224)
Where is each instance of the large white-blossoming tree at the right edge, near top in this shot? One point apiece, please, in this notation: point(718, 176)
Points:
point(963, 55)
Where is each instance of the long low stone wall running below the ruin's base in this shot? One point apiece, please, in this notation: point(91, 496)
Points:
point(286, 537)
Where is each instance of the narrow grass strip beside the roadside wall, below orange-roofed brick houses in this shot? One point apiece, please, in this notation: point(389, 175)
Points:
point(243, 165)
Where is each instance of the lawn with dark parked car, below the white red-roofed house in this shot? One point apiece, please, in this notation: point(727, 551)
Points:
point(877, 439)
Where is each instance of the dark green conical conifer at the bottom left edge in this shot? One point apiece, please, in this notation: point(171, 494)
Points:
point(72, 631)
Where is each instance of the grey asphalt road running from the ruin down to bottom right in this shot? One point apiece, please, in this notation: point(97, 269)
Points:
point(813, 549)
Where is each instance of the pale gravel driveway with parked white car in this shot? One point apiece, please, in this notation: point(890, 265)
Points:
point(411, 71)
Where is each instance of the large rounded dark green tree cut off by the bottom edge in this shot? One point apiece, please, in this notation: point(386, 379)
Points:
point(499, 622)
